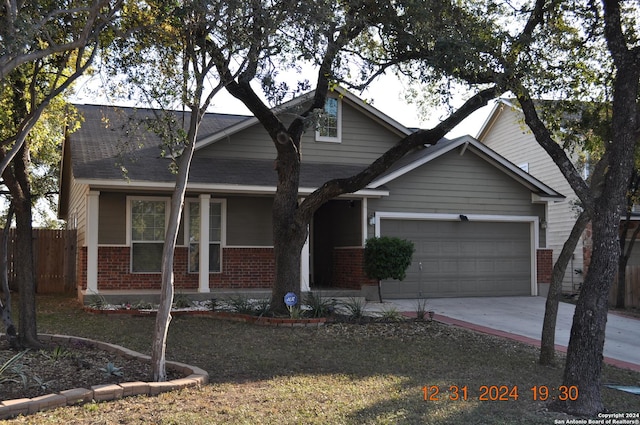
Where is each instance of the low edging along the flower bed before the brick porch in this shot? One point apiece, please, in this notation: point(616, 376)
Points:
point(237, 317)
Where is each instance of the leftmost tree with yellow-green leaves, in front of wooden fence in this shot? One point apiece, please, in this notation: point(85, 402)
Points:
point(46, 47)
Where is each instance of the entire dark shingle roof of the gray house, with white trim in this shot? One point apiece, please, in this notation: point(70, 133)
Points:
point(115, 149)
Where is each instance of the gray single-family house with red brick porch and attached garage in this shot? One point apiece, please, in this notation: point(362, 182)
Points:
point(477, 220)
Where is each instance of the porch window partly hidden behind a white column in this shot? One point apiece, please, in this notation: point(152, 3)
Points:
point(215, 236)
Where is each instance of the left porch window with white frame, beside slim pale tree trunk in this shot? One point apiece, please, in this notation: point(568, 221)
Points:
point(148, 218)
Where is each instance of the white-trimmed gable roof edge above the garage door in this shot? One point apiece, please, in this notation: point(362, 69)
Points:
point(464, 143)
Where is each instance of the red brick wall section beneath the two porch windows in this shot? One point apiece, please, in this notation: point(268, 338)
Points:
point(241, 268)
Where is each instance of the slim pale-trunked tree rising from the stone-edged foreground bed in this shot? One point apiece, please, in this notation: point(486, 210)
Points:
point(177, 45)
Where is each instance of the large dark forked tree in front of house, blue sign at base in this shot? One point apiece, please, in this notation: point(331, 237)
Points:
point(371, 35)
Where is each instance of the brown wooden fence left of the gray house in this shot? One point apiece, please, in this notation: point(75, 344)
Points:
point(54, 254)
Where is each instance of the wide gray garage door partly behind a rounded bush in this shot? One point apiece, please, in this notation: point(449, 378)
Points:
point(462, 258)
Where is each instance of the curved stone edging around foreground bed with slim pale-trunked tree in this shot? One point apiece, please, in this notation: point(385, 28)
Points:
point(194, 377)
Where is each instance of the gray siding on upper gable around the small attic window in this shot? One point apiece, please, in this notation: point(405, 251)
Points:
point(363, 140)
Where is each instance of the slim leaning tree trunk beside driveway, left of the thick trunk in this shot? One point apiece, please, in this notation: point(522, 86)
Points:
point(547, 348)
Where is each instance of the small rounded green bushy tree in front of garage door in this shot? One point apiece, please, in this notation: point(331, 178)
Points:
point(387, 258)
